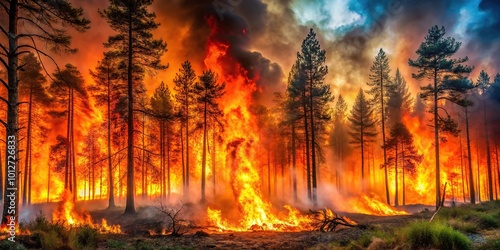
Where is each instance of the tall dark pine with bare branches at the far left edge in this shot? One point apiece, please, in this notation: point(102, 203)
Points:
point(27, 24)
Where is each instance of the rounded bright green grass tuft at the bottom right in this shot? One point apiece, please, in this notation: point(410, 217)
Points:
point(425, 235)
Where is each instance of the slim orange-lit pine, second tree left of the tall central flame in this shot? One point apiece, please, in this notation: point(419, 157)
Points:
point(184, 86)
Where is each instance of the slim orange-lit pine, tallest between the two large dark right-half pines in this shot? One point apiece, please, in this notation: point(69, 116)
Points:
point(380, 84)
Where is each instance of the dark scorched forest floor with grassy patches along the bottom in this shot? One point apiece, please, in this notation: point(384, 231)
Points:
point(479, 224)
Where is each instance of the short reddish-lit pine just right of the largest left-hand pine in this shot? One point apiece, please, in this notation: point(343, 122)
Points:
point(162, 107)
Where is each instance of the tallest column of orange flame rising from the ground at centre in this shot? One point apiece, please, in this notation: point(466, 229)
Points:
point(242, 140)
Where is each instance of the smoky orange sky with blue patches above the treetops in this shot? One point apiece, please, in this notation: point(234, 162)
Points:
point(350, 31)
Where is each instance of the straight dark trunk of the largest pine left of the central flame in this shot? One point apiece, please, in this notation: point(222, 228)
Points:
point(130, 204)
